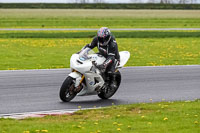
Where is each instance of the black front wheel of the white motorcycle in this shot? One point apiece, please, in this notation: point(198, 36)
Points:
point(67, 90)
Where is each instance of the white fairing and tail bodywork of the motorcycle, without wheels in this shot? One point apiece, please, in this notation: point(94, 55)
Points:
point(82, 64)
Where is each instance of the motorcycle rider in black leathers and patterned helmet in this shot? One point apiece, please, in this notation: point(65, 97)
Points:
point(107, 46)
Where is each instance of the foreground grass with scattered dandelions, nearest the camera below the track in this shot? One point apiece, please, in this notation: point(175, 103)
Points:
point(166, 117)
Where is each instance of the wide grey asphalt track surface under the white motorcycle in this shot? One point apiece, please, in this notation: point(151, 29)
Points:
point(37, 90)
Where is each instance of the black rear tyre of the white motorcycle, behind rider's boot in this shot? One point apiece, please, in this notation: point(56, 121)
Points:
point(111, 92)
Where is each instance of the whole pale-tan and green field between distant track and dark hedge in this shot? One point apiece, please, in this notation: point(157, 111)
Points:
point(76, 18)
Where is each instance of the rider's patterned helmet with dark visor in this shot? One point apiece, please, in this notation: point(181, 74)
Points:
point(104, 36)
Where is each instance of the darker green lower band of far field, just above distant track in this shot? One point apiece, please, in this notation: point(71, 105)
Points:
point(96, 23)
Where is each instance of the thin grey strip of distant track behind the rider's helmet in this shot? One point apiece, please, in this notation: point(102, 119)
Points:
point(94, 29)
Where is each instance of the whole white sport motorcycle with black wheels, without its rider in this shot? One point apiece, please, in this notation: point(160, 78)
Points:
point(87, 79)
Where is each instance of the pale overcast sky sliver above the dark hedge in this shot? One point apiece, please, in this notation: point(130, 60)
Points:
point(75, 1)
